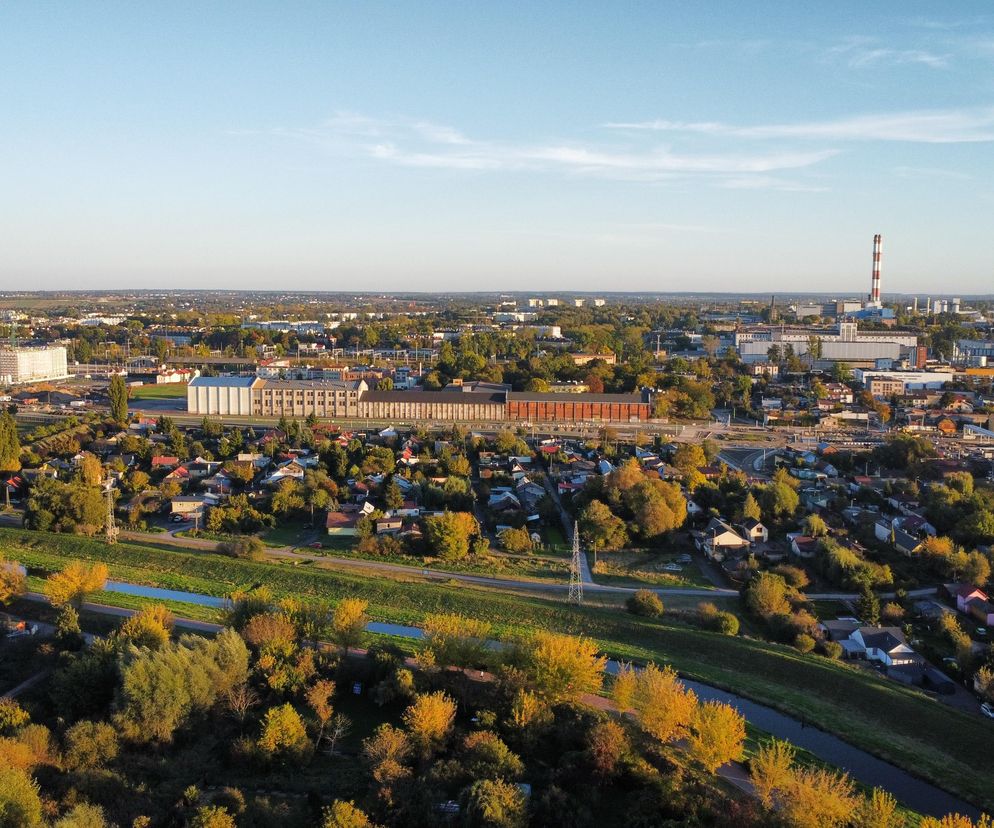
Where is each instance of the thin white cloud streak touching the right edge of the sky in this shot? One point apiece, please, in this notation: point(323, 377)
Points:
point(947, 126)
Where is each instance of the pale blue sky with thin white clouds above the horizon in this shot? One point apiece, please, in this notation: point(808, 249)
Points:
point(580, 146)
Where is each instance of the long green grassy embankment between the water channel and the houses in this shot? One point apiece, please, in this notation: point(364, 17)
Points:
point(902, 725)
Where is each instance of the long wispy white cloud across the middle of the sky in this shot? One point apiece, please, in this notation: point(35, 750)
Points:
point(415, 143)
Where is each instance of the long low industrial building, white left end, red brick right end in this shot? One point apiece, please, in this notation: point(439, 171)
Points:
point(254, 396)
